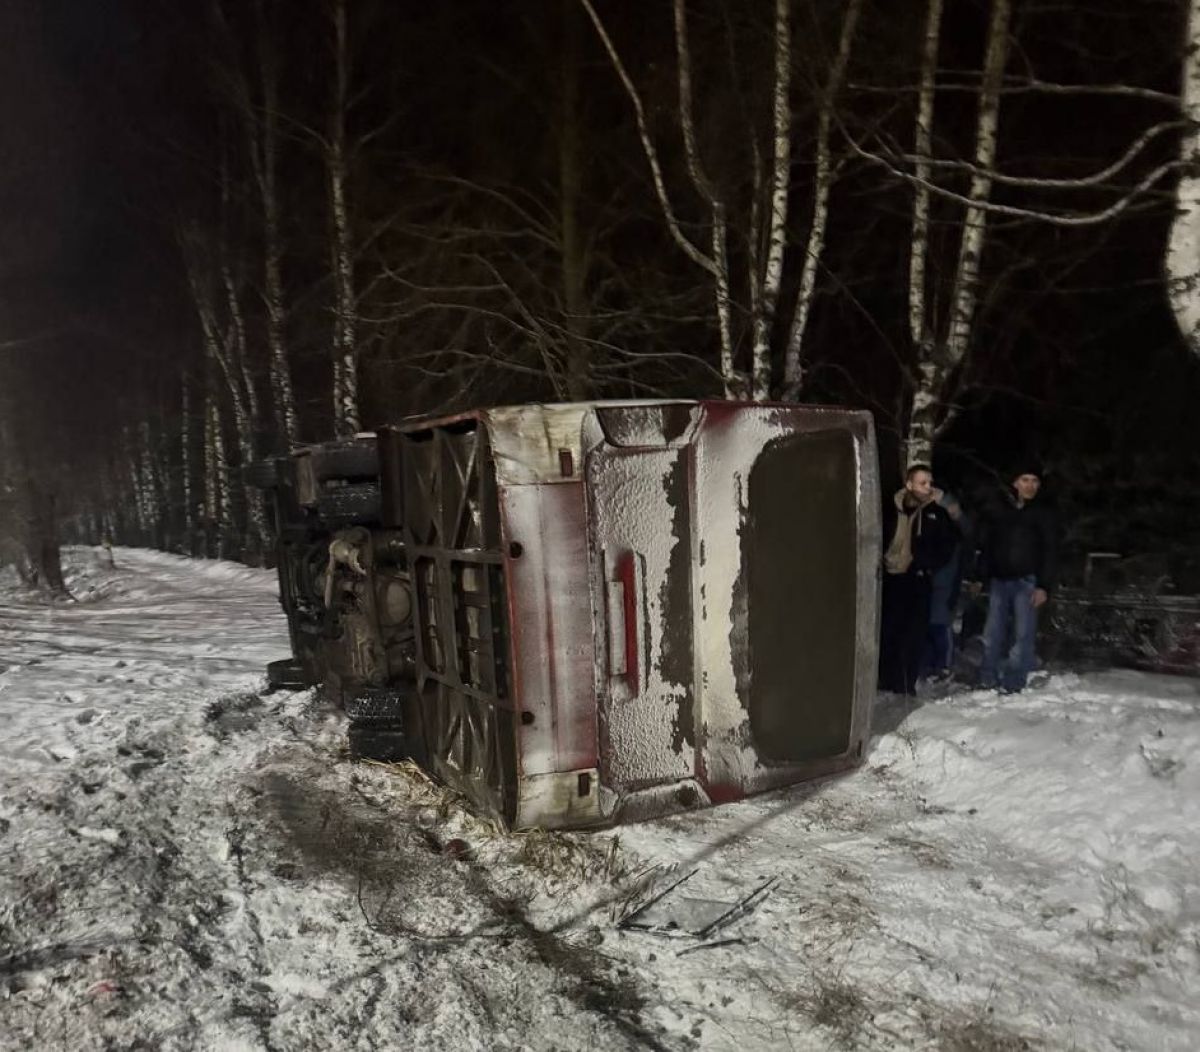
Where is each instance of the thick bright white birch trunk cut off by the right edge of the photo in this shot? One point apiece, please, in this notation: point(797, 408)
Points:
point(1184, 249)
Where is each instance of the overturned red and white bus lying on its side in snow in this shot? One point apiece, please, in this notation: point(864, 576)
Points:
point(579, 615)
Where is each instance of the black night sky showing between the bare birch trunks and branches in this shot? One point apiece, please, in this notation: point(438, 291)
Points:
point(116, 118)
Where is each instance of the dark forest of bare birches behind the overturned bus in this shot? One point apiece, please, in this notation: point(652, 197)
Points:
point(241, 226)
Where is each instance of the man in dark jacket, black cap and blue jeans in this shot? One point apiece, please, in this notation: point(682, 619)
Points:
point(1021, 554)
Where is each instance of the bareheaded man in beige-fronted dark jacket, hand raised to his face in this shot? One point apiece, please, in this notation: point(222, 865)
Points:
point(920, 538)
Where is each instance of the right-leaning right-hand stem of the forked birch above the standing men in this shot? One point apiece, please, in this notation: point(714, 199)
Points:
point(935, 369)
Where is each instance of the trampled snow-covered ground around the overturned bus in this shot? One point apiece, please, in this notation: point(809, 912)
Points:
point(189, 863)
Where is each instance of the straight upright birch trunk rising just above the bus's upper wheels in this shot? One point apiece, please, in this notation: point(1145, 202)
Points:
point(345, 353)
